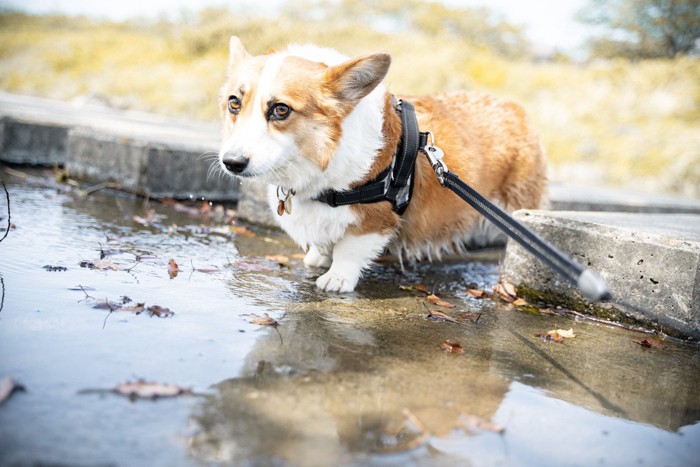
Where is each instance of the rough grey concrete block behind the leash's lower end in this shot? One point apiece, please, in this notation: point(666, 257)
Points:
point(651, 263)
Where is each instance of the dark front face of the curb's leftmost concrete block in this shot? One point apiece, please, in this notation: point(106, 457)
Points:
point(34, 143)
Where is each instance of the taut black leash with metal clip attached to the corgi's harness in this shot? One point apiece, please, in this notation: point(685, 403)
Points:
point(592, 286)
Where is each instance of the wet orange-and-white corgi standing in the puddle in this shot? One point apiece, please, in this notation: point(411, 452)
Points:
point(307, 119)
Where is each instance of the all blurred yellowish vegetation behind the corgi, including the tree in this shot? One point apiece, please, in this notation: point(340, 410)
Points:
point(628, 114)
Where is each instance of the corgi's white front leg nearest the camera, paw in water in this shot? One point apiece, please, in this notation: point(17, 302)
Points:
point(351, 255)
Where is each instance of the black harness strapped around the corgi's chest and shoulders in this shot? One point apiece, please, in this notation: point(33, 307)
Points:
point(395, 184)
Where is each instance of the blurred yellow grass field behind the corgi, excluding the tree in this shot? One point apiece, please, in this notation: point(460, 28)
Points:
point(634, 124)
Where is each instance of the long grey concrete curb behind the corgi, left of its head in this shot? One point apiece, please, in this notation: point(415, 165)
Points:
point(142, 152)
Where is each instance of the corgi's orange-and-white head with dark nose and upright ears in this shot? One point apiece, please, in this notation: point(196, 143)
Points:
point(283, 112)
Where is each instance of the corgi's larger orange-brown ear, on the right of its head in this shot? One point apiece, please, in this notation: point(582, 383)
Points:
point(355, 78)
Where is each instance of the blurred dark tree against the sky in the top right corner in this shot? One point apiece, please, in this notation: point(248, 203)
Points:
point(640, 29)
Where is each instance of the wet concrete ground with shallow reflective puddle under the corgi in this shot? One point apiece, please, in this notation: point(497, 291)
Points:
point(359, 379)
